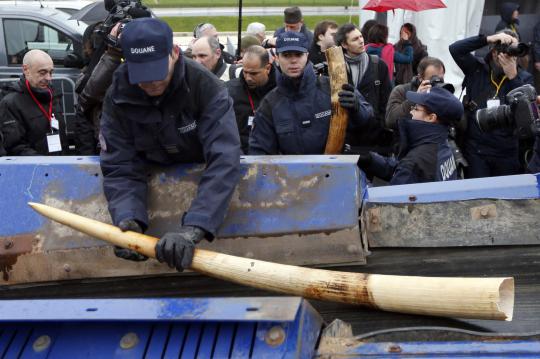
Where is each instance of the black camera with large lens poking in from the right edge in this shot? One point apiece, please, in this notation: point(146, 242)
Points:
point(520, 112)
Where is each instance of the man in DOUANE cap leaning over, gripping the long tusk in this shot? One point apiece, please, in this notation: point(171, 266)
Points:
point(164, 108)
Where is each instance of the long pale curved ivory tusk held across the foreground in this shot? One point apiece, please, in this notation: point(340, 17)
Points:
point(478, 298)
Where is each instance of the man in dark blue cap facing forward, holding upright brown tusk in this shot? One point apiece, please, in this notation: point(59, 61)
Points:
point(294, 118)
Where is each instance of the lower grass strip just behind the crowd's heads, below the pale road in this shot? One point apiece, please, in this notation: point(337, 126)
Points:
point(230, 23)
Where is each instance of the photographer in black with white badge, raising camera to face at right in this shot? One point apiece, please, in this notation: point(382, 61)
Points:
point(488, 81)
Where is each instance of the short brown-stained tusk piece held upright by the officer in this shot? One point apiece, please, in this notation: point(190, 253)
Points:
point(338, 121)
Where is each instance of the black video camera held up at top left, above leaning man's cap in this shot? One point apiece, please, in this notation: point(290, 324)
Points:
point(120, 11)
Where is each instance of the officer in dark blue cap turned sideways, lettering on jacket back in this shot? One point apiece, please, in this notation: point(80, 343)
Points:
point(424, 155)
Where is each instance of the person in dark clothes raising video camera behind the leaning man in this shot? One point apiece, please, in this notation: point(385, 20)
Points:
point(97, 79)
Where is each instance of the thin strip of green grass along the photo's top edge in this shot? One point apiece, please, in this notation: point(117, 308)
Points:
point(228, 3)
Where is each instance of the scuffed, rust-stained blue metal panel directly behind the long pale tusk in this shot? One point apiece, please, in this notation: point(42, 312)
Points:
point(276, 195)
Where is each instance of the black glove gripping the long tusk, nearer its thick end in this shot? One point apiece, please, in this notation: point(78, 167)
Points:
point(176, 248)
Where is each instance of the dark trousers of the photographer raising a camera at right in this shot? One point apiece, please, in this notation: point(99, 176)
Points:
point(489, 166)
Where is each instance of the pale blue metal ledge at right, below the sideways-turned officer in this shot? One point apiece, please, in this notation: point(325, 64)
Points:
point(504, 187)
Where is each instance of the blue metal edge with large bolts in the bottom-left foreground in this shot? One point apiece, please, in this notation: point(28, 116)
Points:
point(224, 328)
